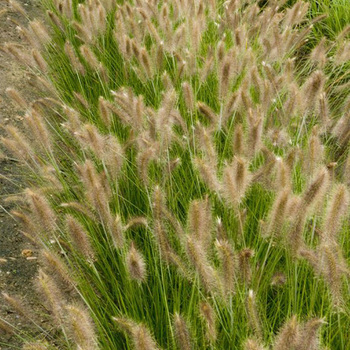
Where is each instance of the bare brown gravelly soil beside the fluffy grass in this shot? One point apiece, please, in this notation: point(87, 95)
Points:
point(17, 272)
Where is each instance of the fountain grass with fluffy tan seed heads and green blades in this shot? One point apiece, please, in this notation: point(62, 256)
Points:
point(189, 165)
